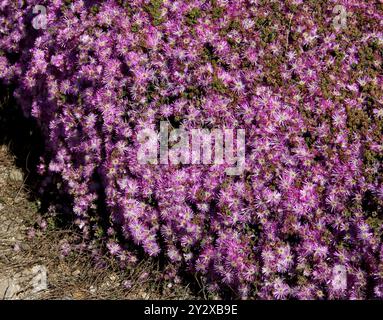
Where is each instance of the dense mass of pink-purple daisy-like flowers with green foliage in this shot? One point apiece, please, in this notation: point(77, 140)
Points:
point(305, 85)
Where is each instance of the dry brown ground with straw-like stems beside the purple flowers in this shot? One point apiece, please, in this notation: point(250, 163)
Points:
point(25, 259)
